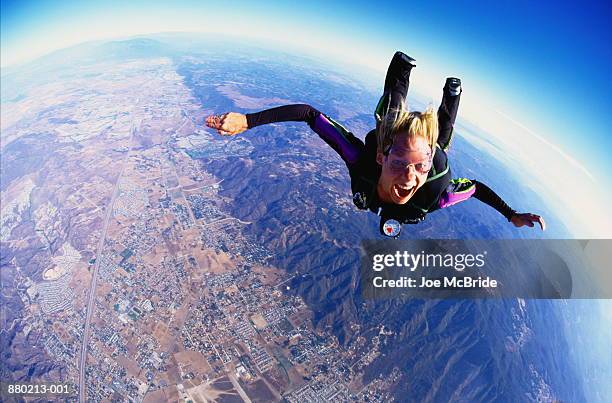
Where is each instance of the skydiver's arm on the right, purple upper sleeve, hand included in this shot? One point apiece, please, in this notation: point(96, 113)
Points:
point(462, 189)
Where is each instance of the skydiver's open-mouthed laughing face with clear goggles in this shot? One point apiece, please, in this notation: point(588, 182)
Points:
point(398, 180)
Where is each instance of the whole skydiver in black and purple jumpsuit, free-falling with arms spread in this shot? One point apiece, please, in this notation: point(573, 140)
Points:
point(401, 173)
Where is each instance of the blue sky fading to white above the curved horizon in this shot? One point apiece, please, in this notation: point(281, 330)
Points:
point(530, 69)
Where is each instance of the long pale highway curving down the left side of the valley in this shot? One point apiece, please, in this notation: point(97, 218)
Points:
point(94, 276)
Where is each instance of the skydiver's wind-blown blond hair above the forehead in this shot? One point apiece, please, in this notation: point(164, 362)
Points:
point(416, 124)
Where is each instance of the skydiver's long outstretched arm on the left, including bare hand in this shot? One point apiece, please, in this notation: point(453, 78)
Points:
point(341, 140)
